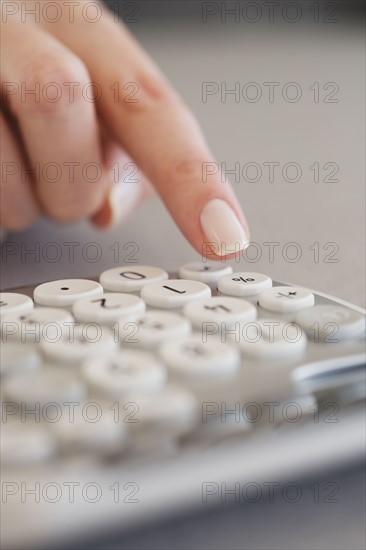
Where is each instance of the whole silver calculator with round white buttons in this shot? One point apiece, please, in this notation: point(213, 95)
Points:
point(142, 394)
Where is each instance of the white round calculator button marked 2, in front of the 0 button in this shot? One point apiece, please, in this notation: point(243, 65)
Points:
point(108, 307)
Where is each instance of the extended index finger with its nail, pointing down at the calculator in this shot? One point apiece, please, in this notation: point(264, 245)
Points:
point(160, 133)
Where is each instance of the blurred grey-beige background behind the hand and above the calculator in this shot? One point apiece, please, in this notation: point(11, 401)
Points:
point(295, 147)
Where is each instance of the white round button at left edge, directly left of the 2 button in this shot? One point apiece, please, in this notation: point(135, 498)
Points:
point(41, 322)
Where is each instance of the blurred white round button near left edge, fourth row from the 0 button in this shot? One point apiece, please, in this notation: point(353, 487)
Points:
point(47, 385)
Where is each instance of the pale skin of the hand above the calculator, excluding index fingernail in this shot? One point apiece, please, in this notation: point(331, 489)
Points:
point(157, 132)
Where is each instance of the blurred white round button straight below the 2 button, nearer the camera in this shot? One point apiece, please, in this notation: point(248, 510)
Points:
point(126, 371)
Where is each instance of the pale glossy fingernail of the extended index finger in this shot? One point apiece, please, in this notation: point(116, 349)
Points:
point(221, 227)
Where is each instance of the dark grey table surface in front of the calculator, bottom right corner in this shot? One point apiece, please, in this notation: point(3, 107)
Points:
point(302, 525)
